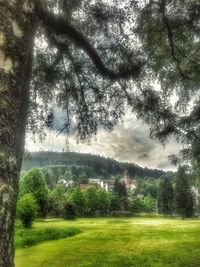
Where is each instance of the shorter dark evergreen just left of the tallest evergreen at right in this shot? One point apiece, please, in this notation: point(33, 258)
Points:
point(165, 197)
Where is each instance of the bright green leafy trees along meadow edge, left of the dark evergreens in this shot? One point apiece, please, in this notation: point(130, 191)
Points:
point(36, 199)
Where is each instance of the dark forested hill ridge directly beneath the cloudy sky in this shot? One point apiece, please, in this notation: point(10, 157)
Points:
point(101, 166)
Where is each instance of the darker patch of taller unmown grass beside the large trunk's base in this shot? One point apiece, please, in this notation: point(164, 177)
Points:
point(25, 238)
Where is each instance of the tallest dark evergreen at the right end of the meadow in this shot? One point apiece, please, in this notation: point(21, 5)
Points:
point(183, 198)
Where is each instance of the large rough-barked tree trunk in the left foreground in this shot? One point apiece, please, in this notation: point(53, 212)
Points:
point(17, 28)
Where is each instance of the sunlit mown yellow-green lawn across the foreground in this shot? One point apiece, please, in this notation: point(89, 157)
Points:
point(118, 242)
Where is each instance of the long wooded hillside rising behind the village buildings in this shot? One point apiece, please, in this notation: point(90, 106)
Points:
point(91, 165)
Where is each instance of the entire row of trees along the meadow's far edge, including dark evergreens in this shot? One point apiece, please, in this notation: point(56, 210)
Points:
point(168, 197)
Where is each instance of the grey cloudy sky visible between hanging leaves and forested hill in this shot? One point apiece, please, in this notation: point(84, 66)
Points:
point(128, 142)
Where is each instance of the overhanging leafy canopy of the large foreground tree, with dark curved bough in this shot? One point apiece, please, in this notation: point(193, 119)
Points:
point(95, 57)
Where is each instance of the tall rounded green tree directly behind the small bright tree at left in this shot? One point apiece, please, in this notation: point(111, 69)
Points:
point(34, 182)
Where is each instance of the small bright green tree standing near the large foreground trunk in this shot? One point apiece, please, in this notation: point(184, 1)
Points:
point(27, 210)
